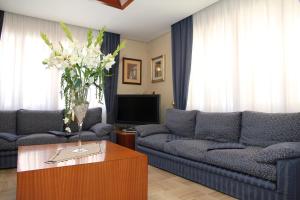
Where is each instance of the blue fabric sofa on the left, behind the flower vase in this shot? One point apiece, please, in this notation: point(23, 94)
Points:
point(33, 127)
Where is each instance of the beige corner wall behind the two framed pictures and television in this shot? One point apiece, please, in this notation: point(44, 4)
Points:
point(146, 51)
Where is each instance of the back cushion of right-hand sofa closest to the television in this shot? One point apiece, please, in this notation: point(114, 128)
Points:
point(181, 122)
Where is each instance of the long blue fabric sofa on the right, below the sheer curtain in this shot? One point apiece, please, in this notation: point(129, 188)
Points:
point(247, 155)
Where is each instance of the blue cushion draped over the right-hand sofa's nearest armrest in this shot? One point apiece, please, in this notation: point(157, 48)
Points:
point(280, 151)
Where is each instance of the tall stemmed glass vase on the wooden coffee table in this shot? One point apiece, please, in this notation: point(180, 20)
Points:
point(80, 112)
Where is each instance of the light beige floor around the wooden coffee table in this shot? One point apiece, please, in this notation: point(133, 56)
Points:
point(162, 186)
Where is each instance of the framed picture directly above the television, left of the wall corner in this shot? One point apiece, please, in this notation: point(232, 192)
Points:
point(132, 71)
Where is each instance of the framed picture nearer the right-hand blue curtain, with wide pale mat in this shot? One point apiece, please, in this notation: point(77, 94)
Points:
point(158, 69)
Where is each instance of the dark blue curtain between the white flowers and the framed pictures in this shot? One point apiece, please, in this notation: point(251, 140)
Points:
point(110, 43)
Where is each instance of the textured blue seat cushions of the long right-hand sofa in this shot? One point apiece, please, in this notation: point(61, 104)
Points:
point(240, 160)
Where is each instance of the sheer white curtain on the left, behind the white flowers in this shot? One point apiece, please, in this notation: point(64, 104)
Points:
point(24, 80)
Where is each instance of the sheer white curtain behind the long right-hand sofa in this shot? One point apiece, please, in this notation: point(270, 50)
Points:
point(246, 56)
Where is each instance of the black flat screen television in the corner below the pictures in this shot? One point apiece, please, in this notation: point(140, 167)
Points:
point(137, 109)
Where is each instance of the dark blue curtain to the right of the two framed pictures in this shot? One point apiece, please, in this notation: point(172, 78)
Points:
point(182, 41)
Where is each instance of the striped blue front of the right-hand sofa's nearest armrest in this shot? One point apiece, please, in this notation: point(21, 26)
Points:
point(288, 178)
